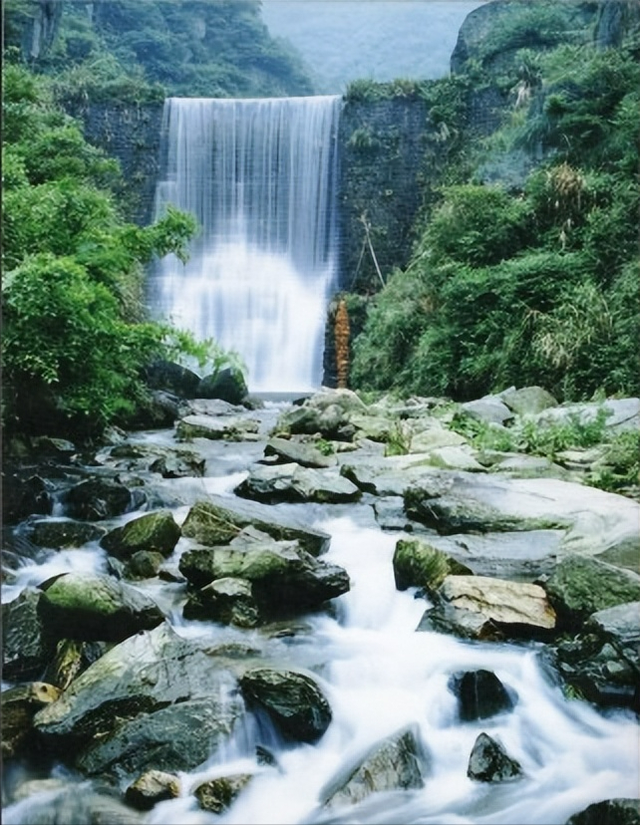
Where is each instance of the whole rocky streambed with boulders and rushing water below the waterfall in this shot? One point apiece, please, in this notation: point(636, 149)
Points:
point(322, 612)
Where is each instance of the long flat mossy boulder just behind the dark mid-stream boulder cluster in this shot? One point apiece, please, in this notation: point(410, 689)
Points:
point(218, 520)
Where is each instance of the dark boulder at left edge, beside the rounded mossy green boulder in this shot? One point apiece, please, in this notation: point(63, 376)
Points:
point(25, 648)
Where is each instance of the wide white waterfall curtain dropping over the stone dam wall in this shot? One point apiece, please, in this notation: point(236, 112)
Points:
point(260, 176)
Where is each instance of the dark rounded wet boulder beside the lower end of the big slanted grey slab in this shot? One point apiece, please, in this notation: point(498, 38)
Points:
point(293, 701)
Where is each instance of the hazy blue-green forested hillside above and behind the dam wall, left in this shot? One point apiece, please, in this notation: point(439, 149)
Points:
point(134, 51)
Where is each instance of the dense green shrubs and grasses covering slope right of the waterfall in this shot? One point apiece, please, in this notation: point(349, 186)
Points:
point(526, 270)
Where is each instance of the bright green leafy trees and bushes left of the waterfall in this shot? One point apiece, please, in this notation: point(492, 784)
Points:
point(74, 336)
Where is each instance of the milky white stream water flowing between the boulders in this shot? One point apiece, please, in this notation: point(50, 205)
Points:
point(379, 676)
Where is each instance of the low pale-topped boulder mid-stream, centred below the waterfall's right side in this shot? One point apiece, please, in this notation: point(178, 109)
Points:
point(292, 483)
